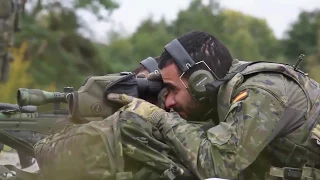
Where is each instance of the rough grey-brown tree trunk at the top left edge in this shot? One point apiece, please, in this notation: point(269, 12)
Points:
point(8, 13)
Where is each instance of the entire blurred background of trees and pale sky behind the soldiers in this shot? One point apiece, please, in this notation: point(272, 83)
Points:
point(61, 42)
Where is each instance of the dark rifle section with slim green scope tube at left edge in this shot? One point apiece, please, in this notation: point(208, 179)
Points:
point(24, 122)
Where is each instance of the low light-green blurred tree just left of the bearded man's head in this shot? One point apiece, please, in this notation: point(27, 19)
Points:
point(149, 40)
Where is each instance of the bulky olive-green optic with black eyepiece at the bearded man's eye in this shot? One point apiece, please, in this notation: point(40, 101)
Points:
point(91, 99)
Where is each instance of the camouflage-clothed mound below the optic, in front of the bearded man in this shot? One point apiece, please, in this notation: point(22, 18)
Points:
point(143, 153)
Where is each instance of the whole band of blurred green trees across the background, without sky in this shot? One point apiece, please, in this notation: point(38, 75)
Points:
point(58, 56)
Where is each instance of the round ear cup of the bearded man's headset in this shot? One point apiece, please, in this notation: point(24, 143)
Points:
point(198, 79)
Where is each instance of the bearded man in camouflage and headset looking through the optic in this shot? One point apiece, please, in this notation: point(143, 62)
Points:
point(267, 114)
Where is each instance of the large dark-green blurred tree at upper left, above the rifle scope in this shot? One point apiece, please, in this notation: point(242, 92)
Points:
point(57, 51)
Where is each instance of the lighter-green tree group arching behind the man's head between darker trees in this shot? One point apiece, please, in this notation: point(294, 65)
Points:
point(248, 38)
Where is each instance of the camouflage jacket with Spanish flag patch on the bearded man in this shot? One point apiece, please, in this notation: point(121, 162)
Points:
point(266, 113)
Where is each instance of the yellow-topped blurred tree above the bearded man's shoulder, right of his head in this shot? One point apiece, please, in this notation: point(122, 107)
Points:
point(248, 37)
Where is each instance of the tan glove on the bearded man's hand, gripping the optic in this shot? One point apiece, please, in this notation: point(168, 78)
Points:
point(148, 111)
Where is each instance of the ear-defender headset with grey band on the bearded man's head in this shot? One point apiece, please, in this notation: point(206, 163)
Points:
point(199, 73)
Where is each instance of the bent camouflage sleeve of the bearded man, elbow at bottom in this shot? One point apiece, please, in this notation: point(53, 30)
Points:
point(228, 148)
